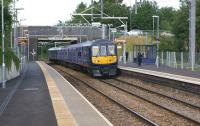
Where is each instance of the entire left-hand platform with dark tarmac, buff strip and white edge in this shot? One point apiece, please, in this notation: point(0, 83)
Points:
point(42, 97)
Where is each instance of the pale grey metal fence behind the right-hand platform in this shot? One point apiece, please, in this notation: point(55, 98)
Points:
point(179, 60)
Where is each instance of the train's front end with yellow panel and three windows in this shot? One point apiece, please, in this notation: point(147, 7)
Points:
point(104, 59)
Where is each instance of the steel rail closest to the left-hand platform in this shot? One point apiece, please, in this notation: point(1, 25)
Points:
point(146, 120)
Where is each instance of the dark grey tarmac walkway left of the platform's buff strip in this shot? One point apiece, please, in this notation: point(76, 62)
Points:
point(31, 104)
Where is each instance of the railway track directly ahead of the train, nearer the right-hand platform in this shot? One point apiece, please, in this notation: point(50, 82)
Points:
point(117, 81)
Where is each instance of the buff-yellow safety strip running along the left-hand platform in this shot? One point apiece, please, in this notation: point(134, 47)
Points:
point(63, 115)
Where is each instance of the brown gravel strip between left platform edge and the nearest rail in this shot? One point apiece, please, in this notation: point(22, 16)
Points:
point(114, 113)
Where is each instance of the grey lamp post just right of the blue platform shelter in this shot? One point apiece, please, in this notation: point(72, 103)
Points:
point(157, 39)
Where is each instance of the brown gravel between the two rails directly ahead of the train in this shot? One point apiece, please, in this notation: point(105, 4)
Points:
point(168, 103)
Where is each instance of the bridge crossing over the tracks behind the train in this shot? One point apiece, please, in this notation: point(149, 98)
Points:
point(55, 35)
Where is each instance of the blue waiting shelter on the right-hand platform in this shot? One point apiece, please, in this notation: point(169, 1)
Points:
point(148, 52)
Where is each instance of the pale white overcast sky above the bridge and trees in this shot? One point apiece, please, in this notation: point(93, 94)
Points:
point(48, 12)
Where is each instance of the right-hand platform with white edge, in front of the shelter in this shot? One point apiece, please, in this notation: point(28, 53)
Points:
point(164, 72)
